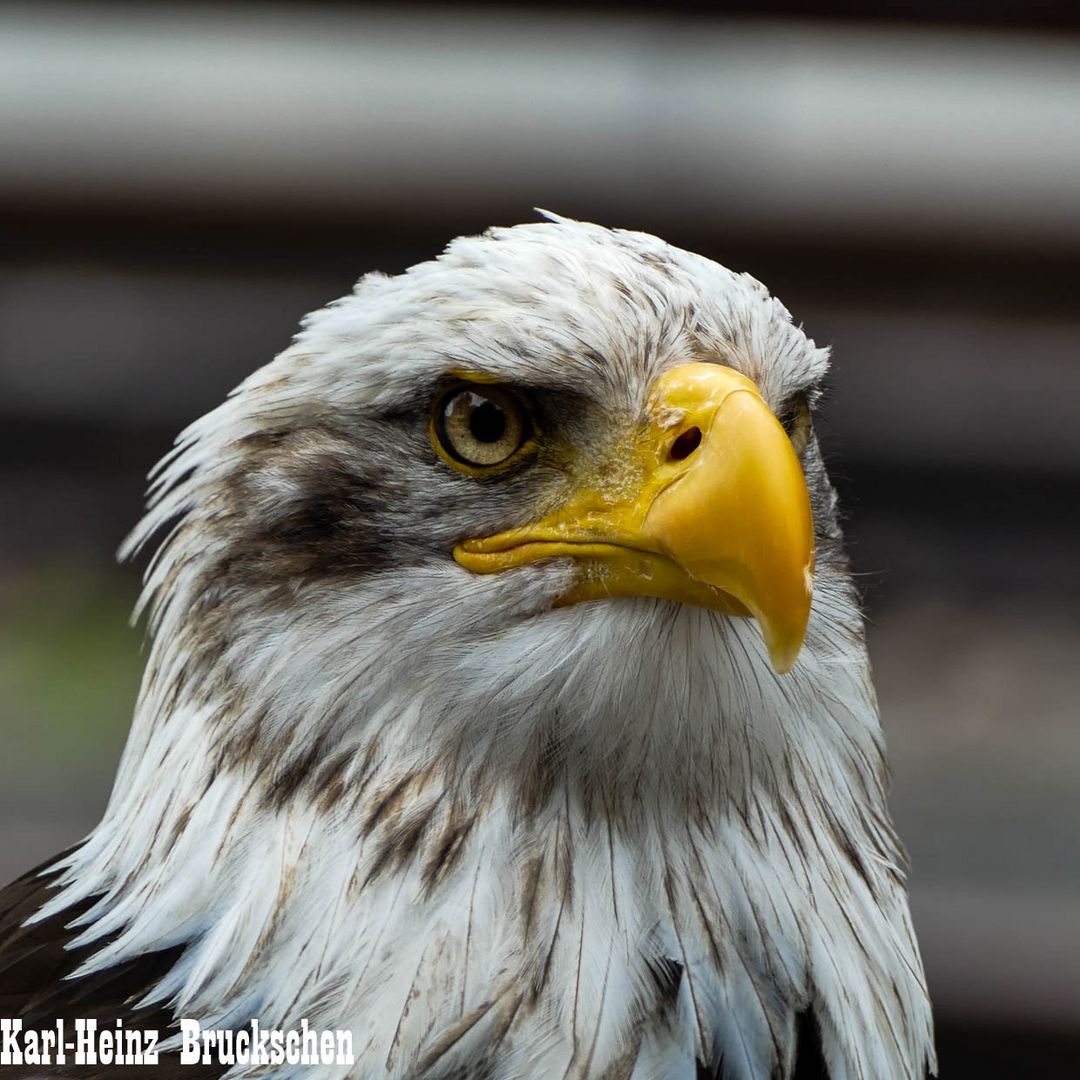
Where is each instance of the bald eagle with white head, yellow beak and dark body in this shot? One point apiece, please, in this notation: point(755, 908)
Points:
point(507, 706)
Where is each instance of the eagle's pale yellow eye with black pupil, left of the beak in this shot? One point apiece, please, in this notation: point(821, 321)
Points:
point(479, 426)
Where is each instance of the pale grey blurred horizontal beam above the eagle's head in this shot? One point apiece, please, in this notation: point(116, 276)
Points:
point(782, 128)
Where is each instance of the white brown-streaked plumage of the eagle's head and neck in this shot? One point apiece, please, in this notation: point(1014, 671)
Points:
point(322, 795)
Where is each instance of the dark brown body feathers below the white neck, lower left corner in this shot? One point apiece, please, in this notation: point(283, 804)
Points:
point(35, 961)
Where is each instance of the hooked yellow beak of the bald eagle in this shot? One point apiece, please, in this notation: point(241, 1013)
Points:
point(707, 505)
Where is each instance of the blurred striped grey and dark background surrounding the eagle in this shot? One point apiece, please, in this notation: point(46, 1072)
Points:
point(180, 184)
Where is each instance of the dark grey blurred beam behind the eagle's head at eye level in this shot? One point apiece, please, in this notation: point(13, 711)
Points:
point(913, 386)
